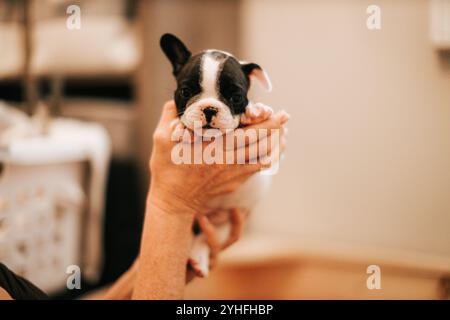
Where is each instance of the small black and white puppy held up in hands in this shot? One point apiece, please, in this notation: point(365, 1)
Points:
point(212, 88)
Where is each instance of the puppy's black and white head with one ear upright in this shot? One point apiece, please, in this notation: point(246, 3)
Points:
point(212, 86)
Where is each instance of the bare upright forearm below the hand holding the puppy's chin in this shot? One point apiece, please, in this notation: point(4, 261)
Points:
point(165, 247)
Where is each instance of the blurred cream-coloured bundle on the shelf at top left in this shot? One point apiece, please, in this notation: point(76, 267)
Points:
point(107, 32)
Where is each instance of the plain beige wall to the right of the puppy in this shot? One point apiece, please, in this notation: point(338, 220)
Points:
point(368, 159)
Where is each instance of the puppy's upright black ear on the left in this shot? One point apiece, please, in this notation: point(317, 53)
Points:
point(175, 50)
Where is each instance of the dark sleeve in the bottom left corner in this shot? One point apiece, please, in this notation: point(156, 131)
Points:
point(17, 287)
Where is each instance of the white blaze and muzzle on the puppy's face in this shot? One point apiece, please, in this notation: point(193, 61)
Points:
point(211, 67)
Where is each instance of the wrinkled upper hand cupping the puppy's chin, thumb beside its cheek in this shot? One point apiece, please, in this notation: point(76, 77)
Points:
point(189, 187)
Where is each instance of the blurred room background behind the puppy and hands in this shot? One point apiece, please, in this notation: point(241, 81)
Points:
point(366, 176)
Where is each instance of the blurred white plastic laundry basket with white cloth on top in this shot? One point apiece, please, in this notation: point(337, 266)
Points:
point(51, 203)
